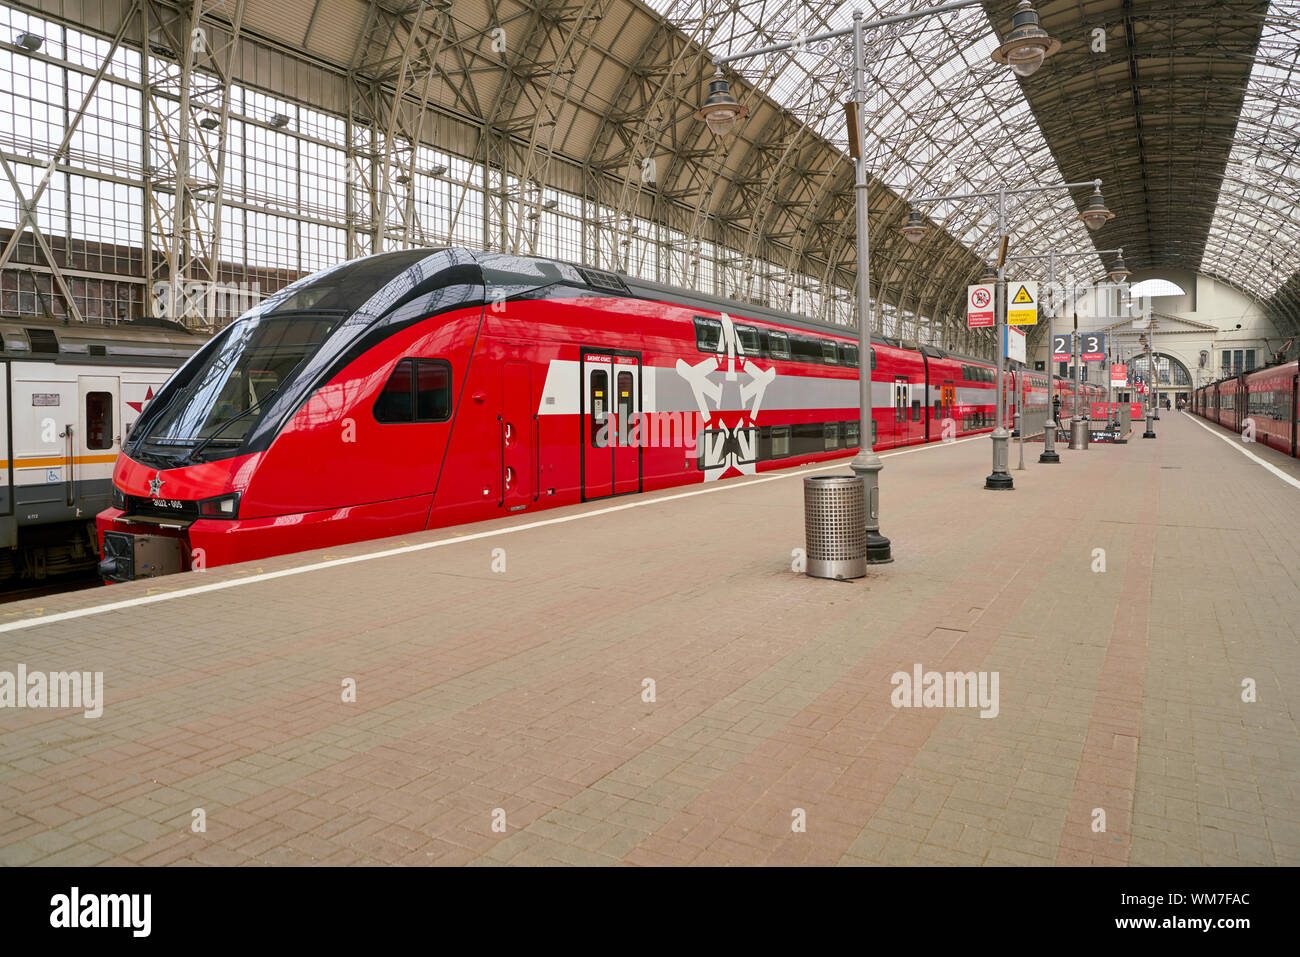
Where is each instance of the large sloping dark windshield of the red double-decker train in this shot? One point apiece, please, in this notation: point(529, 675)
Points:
point(210, 418)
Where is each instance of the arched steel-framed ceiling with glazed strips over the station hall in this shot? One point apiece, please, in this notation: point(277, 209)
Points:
point(1189, 116)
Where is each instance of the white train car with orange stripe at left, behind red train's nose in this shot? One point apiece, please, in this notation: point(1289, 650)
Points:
point(70, 397)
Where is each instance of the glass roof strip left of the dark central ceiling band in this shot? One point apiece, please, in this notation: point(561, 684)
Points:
point(947, 119)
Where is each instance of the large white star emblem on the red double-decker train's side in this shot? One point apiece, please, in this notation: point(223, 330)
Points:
point(729, 435)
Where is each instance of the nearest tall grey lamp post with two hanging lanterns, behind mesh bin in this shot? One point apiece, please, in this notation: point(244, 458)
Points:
point(1024, 50)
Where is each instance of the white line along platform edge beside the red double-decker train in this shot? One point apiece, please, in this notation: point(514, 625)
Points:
point(440, 543)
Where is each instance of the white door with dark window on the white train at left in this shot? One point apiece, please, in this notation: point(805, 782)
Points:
point(93, 453)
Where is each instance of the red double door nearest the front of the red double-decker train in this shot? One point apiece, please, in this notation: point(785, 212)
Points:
point(612, 400)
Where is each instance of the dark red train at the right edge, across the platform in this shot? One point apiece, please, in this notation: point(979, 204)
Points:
point(1269, 399)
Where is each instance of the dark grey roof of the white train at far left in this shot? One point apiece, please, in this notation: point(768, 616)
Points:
point(151, 343)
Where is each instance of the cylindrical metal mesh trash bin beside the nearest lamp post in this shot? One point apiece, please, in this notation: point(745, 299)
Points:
point(835, 527)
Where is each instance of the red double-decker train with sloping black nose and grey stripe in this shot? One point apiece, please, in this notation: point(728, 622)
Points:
point(431, 388)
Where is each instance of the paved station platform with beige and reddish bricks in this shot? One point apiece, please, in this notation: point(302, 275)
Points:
point(518, 699)
